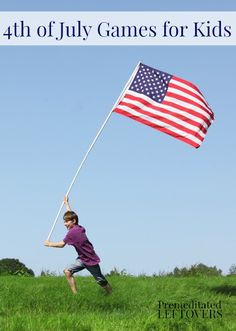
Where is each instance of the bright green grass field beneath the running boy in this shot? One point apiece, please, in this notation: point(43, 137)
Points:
point(46, 304)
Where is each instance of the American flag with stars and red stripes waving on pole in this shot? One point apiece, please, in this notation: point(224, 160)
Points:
point(167, 103)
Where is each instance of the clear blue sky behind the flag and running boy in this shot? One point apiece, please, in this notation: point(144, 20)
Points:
point(149, 202)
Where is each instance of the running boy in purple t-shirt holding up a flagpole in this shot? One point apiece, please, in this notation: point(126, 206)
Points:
point(87, 258)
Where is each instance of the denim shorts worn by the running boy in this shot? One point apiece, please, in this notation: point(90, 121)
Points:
point(93, 269)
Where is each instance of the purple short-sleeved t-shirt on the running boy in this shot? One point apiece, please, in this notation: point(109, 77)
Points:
point(76, 237)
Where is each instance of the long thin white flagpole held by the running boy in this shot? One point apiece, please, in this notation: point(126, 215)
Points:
point(91, 146)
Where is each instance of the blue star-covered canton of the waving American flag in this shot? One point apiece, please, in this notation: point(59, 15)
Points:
point(151, 82)
